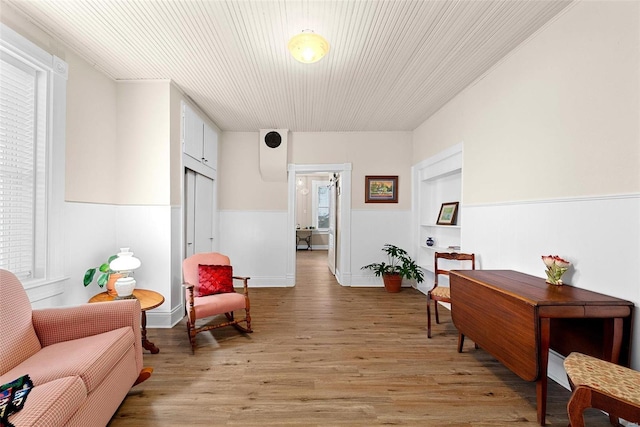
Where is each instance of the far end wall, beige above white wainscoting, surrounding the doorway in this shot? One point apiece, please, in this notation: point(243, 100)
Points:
point(253, 217)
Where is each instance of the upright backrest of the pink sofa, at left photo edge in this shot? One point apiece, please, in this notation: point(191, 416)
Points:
point(19, 339)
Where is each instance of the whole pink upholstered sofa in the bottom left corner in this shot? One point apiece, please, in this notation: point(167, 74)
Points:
point(82, 360)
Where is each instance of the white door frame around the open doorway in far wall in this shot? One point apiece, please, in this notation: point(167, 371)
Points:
point(340, 245)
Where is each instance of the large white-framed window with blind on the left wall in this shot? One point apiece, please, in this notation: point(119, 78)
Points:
point(32, 117)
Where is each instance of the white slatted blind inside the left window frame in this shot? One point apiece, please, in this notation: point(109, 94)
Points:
point(18, 161)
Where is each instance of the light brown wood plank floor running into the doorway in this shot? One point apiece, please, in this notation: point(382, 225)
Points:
point(324, 355)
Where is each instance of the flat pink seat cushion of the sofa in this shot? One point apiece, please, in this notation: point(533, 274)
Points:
point(91, 358)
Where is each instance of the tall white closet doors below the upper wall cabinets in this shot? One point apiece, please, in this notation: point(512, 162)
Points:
point(199, 213)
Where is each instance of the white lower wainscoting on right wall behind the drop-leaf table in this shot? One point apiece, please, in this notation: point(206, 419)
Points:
point(600, 236)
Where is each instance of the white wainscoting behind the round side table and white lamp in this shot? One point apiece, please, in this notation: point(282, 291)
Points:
point(95, 232)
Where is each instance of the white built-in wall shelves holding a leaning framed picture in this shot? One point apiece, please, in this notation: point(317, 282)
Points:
point(436, 180)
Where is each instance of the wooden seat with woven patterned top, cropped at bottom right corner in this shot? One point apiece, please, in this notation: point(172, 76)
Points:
point(602, 385)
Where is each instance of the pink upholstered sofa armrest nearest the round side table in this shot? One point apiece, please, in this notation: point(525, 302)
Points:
point(54, 325)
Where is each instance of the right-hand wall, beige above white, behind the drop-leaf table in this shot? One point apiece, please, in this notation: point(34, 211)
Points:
point(551, 152)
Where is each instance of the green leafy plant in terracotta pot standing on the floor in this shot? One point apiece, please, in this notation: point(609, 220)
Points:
point(400, 266)
